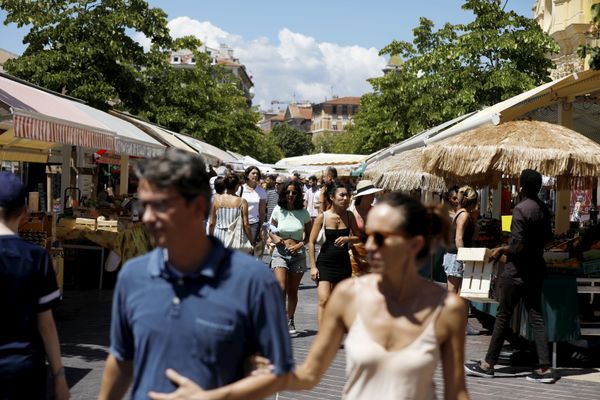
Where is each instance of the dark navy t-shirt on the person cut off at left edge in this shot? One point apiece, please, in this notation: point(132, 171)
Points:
point(27, 287)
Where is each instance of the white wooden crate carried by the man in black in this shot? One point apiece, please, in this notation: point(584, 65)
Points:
point(480, 275)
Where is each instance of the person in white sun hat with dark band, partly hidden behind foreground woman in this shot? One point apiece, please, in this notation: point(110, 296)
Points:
point(363, 199)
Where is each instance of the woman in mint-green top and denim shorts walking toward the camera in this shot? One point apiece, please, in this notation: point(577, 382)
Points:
point(290, 224)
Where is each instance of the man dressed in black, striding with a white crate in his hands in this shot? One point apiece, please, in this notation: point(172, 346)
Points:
point(522, 278)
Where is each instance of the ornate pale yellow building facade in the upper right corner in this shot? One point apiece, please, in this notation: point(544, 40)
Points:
point(569, 24)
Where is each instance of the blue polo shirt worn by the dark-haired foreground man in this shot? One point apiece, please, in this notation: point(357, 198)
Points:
point(204, 325)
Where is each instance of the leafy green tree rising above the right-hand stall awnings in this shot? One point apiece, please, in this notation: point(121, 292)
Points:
point(451, 71)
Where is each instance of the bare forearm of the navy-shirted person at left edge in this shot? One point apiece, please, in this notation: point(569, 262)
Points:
point(47, 330)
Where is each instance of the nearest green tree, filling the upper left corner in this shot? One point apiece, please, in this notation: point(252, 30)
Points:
point(84, 48)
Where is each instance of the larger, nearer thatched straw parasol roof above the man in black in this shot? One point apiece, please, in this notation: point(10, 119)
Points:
point(483, 155)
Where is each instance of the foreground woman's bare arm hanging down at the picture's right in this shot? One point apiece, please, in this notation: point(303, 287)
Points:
point(452, 324)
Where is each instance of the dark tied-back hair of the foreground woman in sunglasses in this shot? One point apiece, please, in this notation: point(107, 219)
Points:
point(430, 221)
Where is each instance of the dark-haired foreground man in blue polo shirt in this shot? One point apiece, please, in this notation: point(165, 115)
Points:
point(190, 304)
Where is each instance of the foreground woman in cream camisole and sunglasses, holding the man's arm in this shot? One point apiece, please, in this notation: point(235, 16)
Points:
point(399, 325)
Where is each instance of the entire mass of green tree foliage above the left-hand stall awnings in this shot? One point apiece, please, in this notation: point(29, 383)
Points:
point(84, 48)
